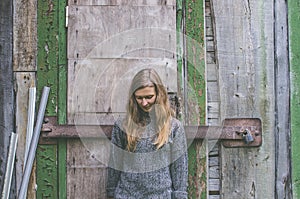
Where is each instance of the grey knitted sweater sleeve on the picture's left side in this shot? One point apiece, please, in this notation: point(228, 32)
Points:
point(115, 160)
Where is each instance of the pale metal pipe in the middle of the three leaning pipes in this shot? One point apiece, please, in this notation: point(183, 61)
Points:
point(30, 122)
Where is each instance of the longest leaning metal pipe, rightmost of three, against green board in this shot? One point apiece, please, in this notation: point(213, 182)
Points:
point(34, 143)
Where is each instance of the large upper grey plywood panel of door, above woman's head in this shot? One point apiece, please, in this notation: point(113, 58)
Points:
point(121, 31)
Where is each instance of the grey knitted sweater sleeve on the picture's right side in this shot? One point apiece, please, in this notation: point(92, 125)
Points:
point(179, 166)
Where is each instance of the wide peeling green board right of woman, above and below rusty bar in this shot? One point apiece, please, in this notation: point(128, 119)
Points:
point(194, 20)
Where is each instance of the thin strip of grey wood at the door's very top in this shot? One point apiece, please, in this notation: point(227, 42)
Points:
point(122, 2)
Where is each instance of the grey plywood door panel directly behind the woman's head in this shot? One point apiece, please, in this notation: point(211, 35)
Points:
point(108, 85)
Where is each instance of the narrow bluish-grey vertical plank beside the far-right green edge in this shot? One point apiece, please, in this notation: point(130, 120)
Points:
point(282, 88)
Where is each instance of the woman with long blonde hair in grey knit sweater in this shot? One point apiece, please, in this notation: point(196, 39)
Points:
point(149, 151)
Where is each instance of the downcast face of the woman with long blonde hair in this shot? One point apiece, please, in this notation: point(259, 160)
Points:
point(145, 97)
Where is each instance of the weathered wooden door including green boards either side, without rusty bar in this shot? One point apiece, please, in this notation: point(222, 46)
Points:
point(107, 43)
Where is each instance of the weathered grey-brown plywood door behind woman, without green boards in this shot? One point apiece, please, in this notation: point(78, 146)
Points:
point(108, 42)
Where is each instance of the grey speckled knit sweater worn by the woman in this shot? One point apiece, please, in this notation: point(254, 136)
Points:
point(148, 172)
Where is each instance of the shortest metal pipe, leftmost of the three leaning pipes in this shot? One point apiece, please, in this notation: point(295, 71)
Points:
point(10, 165)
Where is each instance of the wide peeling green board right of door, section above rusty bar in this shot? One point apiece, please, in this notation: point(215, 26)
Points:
point(195, 58)
